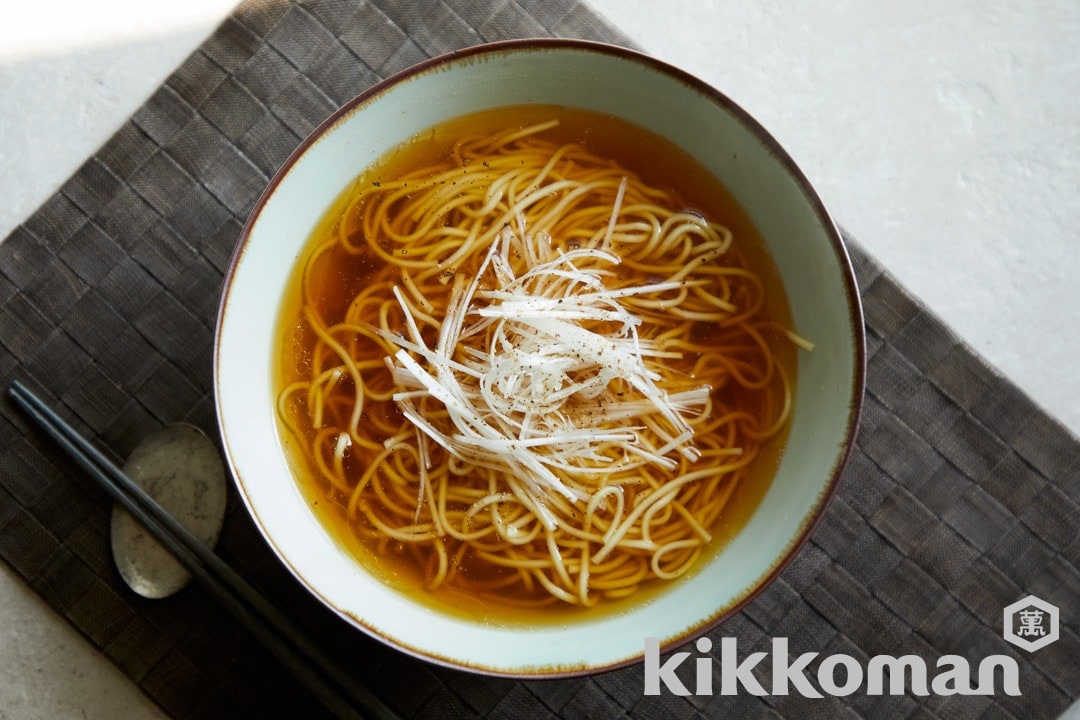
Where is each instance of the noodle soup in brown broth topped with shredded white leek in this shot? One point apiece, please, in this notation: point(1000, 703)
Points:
point(535, 363)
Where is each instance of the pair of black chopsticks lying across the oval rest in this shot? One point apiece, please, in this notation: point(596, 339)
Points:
point(340, 692)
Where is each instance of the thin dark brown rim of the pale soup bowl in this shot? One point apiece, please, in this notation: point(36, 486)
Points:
point(836, 240)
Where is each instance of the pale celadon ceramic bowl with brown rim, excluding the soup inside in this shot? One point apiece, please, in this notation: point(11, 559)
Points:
point(798, 234)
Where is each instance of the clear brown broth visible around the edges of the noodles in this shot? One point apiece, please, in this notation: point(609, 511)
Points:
point(660, 165)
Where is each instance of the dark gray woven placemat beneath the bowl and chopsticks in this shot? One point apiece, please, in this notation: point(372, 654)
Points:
point(962, 496)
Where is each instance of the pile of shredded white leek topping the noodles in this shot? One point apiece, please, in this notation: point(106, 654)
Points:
point(565, 372)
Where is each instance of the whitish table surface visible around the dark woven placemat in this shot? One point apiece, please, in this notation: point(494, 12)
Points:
point(944, 135)
